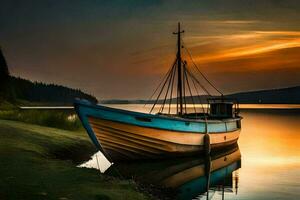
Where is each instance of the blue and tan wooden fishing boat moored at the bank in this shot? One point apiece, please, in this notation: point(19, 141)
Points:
point(170, 129)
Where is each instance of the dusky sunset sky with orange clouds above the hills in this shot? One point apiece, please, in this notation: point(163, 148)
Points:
point(122, 49)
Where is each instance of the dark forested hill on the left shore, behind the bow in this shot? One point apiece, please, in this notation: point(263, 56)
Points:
point(13, 89)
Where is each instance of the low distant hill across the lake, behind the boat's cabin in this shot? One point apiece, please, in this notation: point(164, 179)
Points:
point(274, 96)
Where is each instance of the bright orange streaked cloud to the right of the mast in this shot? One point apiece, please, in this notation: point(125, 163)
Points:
point(246, 45)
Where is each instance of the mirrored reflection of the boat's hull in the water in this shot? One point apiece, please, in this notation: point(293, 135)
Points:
point(188, 178)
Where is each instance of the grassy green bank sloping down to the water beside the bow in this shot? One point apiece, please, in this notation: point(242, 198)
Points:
point(40, 163)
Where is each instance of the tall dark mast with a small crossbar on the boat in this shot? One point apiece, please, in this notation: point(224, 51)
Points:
point(179, 69)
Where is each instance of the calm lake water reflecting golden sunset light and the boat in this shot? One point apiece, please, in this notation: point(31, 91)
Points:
point(265, 165)
